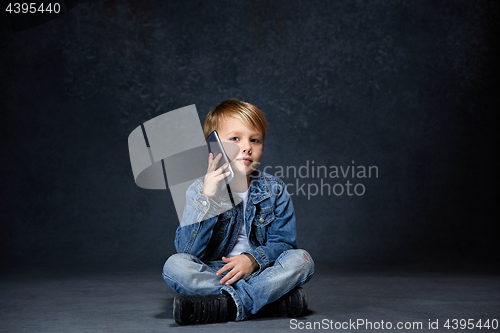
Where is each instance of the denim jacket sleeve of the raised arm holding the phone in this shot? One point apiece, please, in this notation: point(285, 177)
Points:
point(198, 219)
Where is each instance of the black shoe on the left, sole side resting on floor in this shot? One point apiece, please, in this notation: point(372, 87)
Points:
point(202, 309)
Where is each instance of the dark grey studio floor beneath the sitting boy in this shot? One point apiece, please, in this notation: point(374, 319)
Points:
point(99, 299)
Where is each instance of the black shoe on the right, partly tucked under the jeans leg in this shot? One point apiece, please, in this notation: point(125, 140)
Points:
point(293, 304)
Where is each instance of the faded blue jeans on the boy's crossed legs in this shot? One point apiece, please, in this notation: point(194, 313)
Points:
point(187, 274)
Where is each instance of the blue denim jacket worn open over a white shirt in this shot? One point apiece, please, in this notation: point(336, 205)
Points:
point(269, 209)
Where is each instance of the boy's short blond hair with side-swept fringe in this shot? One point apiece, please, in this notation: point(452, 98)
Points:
point(246, 112)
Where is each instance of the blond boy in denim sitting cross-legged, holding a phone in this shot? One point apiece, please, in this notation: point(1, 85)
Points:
point(231, 265)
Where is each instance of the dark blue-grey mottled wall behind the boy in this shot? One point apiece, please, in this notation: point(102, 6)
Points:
point(410, 87)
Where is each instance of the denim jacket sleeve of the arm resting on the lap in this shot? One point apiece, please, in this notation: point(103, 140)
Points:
point(281, 232)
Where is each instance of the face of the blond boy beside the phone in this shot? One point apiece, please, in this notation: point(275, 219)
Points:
point(249, 141)
